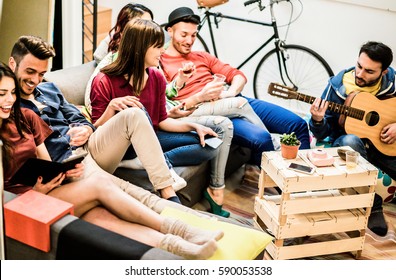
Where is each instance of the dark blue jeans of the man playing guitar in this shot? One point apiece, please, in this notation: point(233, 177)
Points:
point(383, 162)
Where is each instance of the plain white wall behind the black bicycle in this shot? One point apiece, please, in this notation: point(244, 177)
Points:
point(335, 29)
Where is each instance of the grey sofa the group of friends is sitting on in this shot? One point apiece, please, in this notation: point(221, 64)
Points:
point(72, 82)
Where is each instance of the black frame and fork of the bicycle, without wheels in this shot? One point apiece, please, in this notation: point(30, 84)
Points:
point(275, 37)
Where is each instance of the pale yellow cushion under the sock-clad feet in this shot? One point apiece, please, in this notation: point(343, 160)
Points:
point(238, 243)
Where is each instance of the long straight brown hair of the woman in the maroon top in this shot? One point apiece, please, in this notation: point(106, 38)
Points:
point(138, 36)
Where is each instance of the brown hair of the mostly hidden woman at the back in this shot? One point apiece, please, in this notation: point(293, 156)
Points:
point(127, 13)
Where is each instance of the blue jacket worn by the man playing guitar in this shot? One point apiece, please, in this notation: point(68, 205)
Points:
point(335, 92)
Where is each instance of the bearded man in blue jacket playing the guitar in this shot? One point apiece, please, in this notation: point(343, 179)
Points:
point(372, 74)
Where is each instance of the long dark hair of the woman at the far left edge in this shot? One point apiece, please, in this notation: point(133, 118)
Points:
point(15, 116)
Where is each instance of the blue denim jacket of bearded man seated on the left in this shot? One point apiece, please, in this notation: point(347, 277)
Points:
point(58, 115)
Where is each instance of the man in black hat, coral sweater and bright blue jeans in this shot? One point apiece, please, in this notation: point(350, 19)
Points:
point(183, 28)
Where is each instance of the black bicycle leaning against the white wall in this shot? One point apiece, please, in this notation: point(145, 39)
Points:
point(292, 65)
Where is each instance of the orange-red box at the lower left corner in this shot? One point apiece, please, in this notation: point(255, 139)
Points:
point(29, 216)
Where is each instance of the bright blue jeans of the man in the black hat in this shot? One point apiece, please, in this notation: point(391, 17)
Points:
point(276, 120)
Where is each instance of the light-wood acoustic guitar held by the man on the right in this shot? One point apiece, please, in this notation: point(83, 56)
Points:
point(366, 122)
